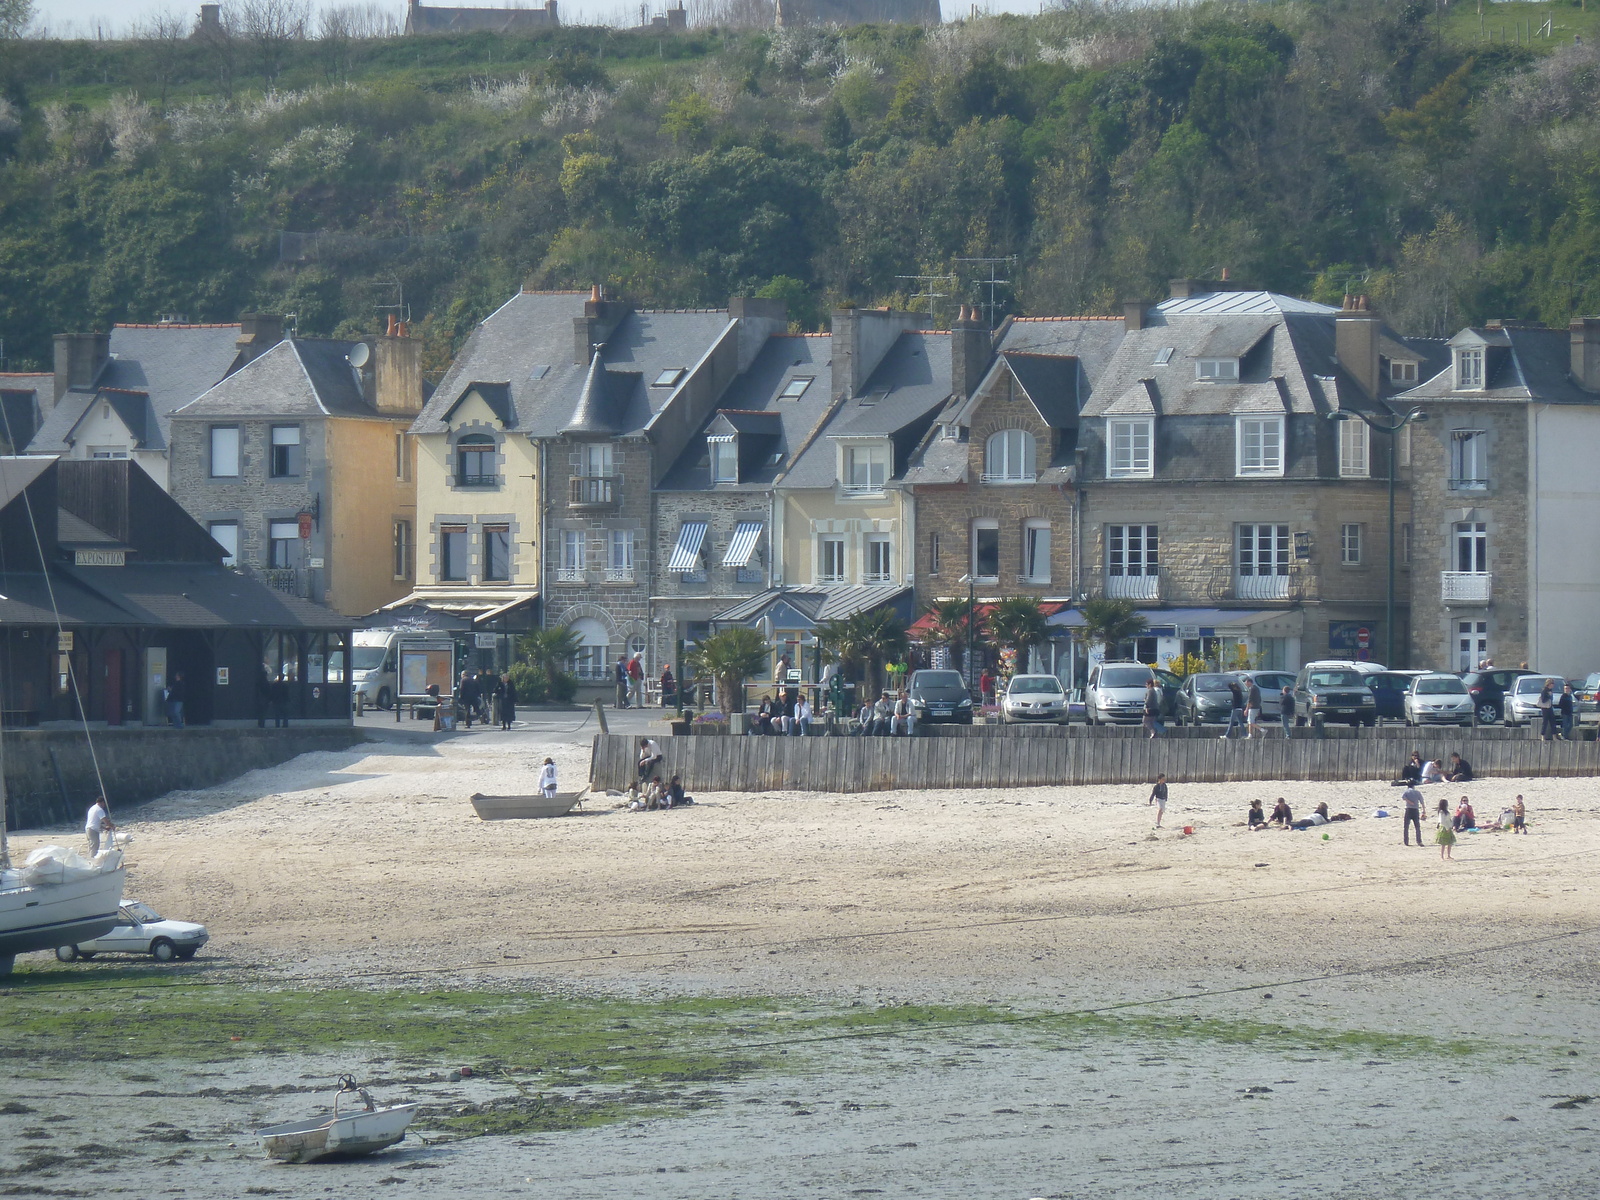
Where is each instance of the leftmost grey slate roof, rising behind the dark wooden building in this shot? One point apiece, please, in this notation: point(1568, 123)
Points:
point(169, 366)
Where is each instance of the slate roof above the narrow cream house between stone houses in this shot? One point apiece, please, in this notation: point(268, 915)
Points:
point(898, 401)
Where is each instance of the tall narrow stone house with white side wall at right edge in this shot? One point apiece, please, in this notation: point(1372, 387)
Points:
point(1503, 538)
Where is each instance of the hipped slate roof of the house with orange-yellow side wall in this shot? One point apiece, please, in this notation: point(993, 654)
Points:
point(300, 377)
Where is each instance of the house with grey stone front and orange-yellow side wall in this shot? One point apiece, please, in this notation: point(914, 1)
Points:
point(298, 466)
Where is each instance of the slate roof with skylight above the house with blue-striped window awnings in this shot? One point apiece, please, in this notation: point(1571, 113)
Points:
point(783, 359)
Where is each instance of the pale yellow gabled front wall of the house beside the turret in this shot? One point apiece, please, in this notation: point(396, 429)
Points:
point(518, 495)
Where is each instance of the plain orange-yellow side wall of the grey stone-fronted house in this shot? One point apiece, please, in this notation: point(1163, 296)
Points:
point(364, 503)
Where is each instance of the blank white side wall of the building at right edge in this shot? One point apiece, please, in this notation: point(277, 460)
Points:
point(1564, 540)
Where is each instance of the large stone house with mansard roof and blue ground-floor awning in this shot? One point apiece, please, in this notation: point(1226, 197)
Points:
point(1215, 494)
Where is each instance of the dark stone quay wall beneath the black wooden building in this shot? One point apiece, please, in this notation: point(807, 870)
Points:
point(142, 766)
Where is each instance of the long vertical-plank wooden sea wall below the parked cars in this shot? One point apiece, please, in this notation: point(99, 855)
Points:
point(1033, 759)
